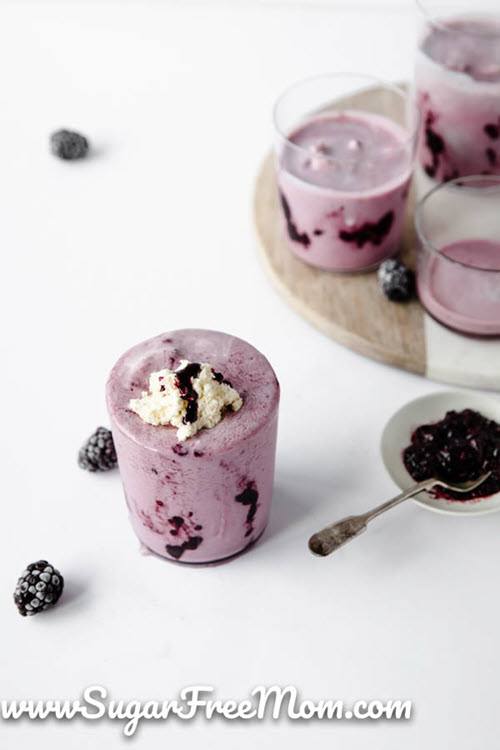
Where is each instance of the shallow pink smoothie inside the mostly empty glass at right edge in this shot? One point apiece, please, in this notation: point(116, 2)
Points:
point(465, 294)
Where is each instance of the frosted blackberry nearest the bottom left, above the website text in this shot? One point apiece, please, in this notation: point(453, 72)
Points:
point(38, 588)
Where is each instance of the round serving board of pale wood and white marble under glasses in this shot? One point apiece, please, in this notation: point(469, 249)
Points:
point(351, 309)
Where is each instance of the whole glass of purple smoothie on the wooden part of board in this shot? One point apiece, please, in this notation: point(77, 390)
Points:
point(345, 146)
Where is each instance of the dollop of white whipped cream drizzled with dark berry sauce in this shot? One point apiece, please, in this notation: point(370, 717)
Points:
point(190, 398)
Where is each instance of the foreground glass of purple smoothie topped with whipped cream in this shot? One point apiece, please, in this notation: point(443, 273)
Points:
point(194, 416)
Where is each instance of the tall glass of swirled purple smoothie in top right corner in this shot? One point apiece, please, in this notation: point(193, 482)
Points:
point(457, 82)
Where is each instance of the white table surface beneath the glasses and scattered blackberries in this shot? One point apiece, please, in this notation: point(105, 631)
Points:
point(154, 233)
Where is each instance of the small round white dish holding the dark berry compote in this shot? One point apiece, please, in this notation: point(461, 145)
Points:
point(432, 408)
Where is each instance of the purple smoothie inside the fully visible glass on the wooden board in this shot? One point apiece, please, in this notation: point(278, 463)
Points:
point(343, 180)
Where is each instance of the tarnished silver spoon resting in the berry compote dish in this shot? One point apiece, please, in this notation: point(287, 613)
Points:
point(337, 534)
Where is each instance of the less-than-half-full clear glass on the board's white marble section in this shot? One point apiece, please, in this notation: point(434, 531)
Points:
point(458, 262)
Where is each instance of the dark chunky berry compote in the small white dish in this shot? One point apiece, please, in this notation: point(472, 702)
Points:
point(459, 448)
